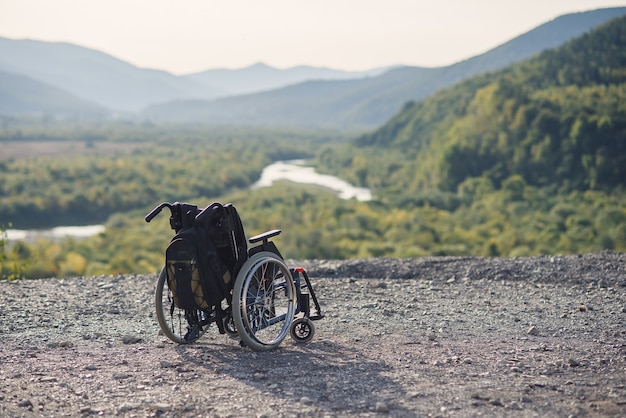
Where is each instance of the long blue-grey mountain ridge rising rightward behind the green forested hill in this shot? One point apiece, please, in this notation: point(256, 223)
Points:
point(368, 102)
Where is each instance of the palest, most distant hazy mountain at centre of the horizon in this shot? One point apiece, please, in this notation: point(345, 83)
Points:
point(261, 77)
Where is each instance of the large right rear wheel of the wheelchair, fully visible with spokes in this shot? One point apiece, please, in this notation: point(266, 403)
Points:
point(264, 300)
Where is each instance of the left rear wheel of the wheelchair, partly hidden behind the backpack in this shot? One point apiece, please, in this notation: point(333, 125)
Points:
point(179, 325)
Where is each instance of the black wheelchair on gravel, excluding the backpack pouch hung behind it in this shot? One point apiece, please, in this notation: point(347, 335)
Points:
point(267, 299)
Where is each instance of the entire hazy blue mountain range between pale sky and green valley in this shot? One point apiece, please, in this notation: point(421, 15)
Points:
point(60, 79)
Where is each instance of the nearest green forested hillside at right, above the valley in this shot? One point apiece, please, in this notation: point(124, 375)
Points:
point(555, 120)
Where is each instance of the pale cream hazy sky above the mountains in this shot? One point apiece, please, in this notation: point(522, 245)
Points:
point(188, 36)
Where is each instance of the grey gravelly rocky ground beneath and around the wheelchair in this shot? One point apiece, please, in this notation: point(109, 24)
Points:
point(523, 337)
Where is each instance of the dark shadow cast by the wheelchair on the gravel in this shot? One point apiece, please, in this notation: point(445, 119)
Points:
point(321, 376)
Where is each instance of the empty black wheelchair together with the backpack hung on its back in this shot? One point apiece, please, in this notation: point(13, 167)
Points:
point(211, 276)
